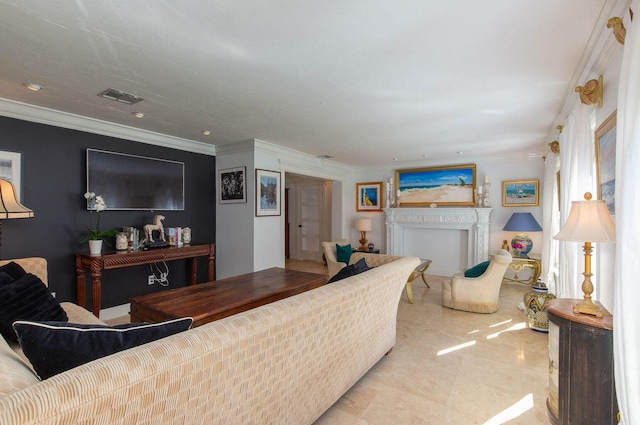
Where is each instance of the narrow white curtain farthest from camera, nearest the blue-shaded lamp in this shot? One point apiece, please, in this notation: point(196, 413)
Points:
point(550, 222)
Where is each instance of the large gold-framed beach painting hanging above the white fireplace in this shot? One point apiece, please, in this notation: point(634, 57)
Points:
point(450, 185)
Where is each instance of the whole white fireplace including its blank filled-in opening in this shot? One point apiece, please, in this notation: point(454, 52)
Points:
point(453, 238)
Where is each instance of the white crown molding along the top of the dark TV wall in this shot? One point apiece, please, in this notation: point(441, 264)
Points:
point(38, 114)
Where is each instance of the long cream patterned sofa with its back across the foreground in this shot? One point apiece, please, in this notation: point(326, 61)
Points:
point(282, 363)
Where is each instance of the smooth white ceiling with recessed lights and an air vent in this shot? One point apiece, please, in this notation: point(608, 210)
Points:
point(363, 81)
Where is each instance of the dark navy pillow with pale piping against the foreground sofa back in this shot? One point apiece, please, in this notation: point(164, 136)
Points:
point(54, 347)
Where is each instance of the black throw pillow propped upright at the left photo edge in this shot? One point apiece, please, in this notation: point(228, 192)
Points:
point(26, 298)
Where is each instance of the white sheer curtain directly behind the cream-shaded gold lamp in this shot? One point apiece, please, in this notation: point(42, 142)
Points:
point(577, 156)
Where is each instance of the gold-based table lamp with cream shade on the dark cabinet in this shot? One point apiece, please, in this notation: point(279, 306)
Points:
point(588, 221)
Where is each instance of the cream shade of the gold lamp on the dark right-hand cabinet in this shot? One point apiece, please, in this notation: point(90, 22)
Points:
point(588, 221)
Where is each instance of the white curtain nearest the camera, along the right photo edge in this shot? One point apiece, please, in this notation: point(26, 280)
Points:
point(626, 317)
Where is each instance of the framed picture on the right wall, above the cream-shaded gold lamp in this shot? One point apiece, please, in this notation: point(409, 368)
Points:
point(606, 162)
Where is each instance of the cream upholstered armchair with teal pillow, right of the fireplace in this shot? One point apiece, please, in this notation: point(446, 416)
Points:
point(477, 294)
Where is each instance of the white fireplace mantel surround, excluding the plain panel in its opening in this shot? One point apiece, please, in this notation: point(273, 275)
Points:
point(474, 220)
